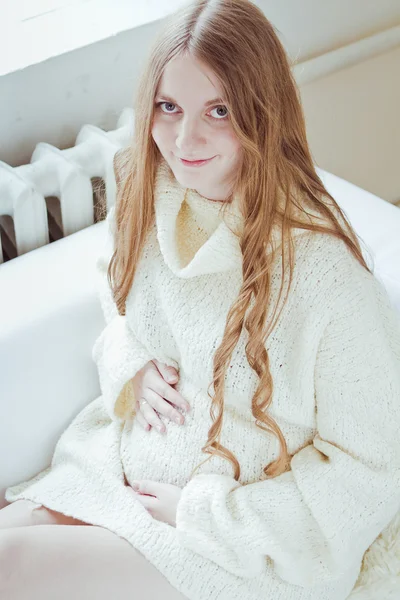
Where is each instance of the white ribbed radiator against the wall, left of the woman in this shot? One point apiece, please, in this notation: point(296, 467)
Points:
point(55, 194)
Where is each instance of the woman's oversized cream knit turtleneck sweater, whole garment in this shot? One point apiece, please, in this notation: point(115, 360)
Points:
point(335, 362)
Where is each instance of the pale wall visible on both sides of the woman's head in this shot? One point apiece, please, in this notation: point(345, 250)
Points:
point(352, 113)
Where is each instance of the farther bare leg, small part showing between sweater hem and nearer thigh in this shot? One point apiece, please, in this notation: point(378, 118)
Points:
point(22, 513)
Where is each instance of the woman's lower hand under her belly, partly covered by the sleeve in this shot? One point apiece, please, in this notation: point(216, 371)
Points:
point(159, 499)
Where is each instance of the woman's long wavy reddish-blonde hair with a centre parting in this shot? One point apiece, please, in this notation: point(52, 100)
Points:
point(241, 46)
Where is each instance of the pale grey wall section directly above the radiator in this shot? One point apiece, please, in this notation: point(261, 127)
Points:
point(51, 100)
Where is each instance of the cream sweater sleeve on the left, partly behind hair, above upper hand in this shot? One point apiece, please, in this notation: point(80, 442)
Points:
point(117, 352)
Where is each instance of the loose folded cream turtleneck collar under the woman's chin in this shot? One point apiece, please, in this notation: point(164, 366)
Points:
point(195, 238)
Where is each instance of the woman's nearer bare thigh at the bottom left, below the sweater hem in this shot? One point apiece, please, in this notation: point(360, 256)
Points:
point(83, 563)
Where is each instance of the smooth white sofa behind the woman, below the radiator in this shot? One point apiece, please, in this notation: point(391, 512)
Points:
point(50, 316)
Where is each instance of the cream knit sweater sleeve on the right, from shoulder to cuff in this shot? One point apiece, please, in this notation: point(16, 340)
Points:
point(317, 520)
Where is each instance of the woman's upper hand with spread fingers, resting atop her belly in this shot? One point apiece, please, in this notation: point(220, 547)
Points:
point(151, 384)
